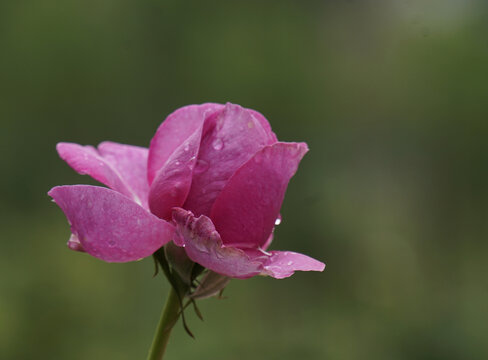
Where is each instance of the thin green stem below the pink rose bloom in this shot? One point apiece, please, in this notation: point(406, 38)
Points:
point(169, 316)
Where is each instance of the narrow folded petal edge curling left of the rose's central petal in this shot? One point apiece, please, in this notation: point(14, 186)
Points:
point(172, 183)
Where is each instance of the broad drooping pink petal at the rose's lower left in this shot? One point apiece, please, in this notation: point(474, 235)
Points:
point(110, 226)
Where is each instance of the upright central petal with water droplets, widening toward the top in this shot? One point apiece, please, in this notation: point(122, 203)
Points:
point(232, 138)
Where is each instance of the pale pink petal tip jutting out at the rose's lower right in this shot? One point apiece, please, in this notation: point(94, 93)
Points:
point(282, 264)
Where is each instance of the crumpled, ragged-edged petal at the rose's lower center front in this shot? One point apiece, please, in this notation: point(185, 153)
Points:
point(204, 246)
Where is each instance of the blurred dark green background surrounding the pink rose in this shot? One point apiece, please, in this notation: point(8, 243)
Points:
point(392, 98)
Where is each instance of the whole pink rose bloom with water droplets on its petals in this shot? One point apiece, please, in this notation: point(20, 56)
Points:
point(212, 181)
